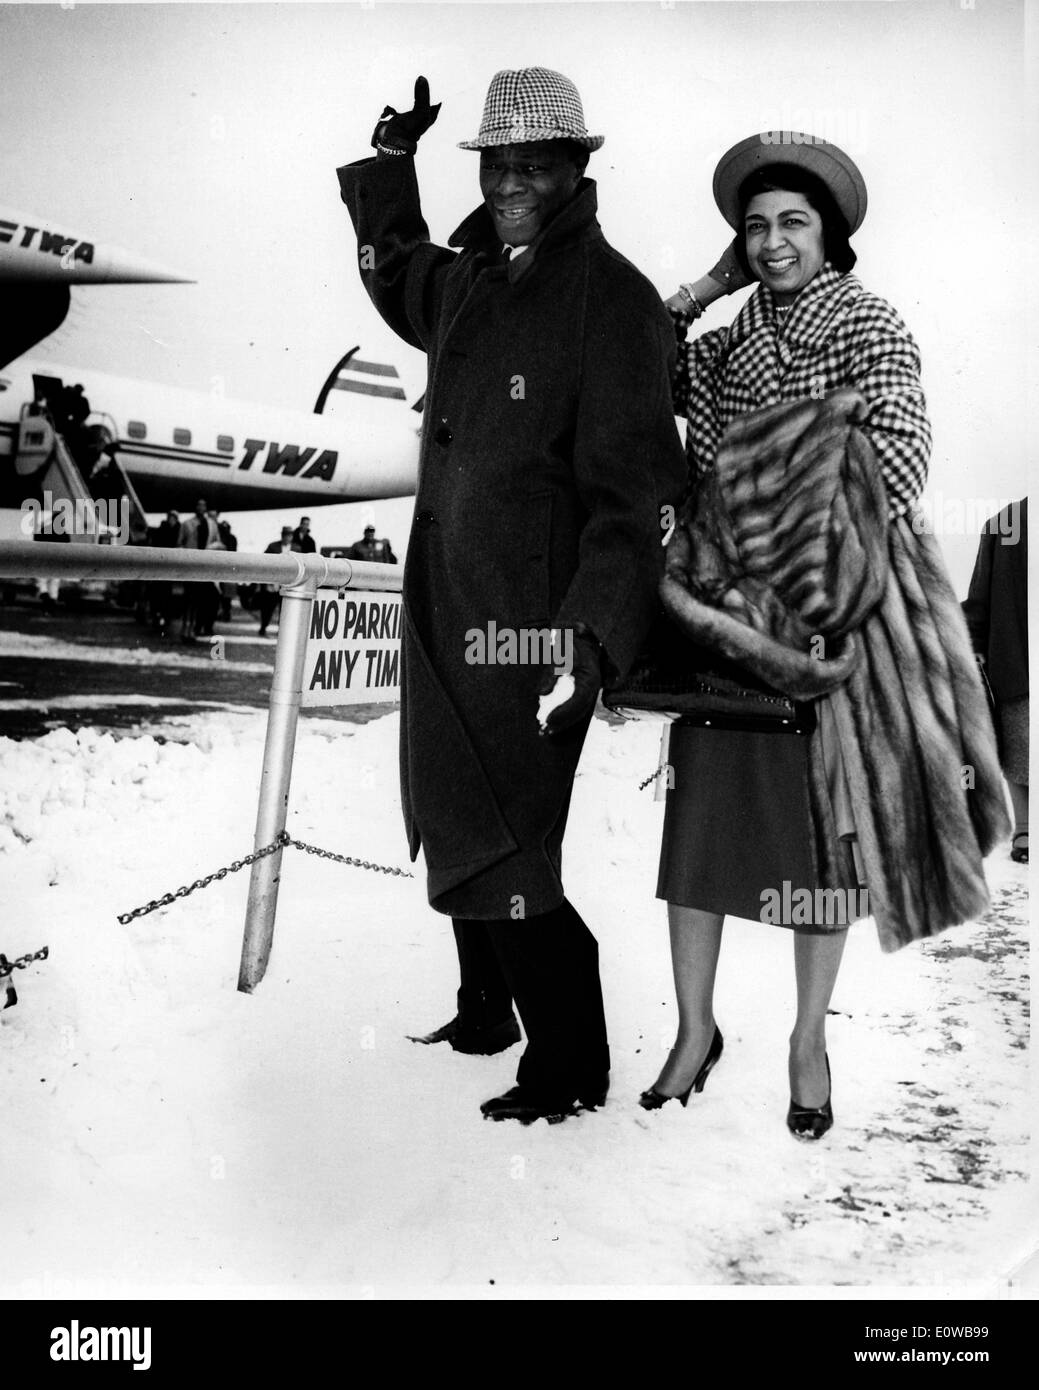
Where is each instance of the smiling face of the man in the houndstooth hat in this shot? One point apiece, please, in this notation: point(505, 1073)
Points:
point(525, 187)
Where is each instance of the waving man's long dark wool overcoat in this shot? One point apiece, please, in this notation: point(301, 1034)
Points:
point(549, 448)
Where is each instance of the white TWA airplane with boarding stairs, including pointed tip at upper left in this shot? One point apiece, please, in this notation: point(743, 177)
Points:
point(180, 445)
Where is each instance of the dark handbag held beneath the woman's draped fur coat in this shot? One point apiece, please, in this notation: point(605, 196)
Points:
point(672, 679)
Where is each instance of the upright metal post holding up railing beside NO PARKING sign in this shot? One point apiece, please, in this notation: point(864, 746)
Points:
point(287, 689)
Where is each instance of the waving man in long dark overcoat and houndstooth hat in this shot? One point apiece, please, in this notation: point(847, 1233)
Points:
point(549, 450)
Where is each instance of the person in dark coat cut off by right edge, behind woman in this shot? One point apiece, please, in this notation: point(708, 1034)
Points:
point(997, 612)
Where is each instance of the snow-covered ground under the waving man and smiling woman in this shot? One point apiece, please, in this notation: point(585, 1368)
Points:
point(163, 1134)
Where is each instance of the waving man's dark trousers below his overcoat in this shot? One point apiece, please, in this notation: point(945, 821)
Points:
point(550, 965)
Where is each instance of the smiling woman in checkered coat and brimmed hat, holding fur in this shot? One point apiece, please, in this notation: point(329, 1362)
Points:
point(866, 801)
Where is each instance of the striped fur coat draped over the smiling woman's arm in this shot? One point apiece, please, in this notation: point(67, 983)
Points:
point(788, 562)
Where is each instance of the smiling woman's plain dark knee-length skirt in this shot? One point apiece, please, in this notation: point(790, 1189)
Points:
point(738, 824)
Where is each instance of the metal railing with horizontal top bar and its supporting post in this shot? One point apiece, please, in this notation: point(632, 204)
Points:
point(300, 579)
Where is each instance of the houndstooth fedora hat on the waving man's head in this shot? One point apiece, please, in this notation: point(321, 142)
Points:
point(532, 105)
